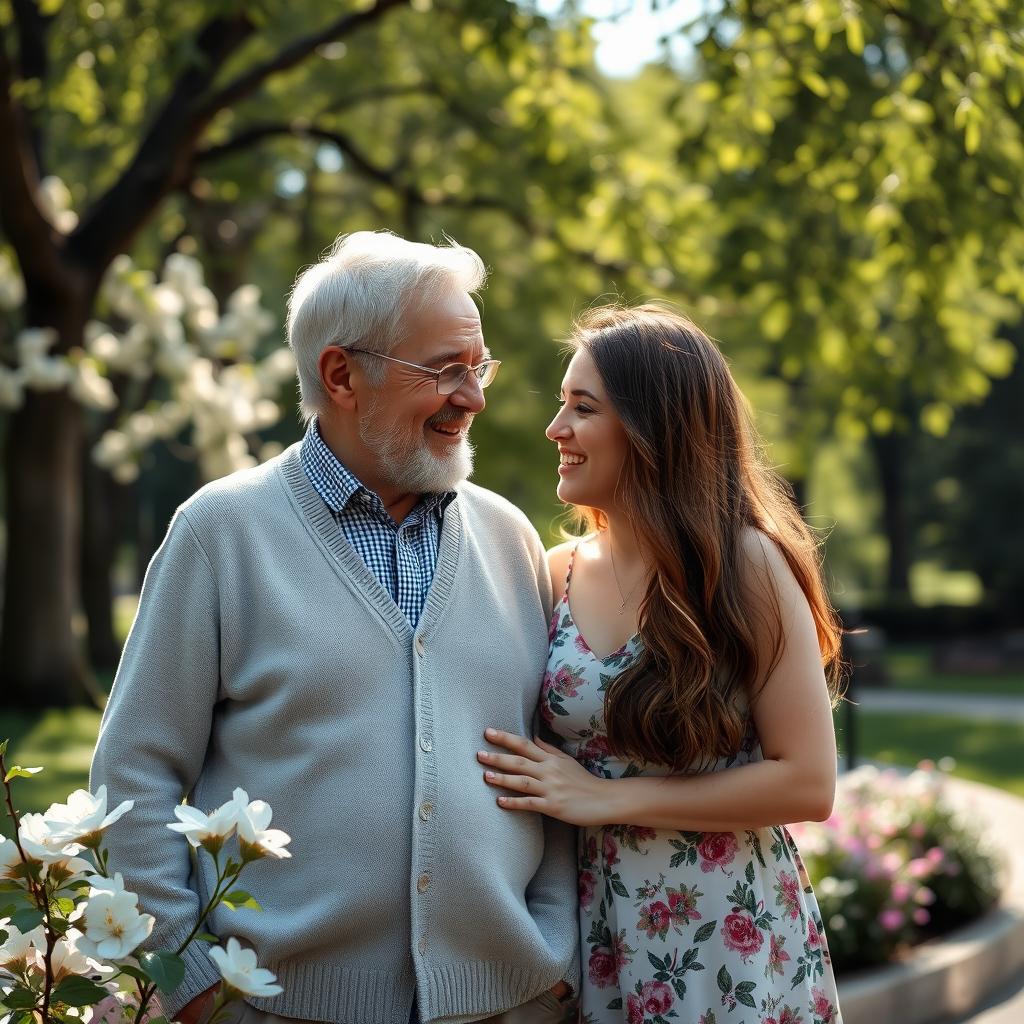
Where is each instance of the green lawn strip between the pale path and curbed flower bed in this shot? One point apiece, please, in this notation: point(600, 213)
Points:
point(985, 752)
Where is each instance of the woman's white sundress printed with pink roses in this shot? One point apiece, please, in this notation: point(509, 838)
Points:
point(688, 927)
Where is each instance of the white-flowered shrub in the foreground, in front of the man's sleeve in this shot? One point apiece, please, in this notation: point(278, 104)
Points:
point(70, 934)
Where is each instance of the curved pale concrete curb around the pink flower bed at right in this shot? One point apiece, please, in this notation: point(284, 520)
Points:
point(953, 976)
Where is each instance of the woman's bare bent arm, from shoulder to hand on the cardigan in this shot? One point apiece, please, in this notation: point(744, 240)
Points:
point(793, 716)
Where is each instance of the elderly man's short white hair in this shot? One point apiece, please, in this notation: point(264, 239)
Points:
point(359, 295)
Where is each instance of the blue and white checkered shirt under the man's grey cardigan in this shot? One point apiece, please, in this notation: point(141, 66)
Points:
point(403, 557)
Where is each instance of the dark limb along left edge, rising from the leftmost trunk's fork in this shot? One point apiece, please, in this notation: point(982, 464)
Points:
point(34, 239)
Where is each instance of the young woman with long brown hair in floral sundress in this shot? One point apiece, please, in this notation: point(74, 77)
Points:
point(688, 688)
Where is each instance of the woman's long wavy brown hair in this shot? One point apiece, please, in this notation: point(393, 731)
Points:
point(694, 481)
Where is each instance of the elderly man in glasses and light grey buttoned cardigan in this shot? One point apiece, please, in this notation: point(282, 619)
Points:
point(333, 631)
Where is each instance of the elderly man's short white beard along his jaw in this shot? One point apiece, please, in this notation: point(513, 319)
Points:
point(406, 462)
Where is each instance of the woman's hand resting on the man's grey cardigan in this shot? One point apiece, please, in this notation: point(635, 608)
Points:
point(545, 780)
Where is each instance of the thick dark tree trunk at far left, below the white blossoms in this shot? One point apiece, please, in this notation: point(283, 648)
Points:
point(40, 662)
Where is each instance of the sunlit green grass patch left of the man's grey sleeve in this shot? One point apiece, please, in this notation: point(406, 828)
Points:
point(61, 741)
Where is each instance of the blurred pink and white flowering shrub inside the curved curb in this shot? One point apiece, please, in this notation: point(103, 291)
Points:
point(894, 866)
